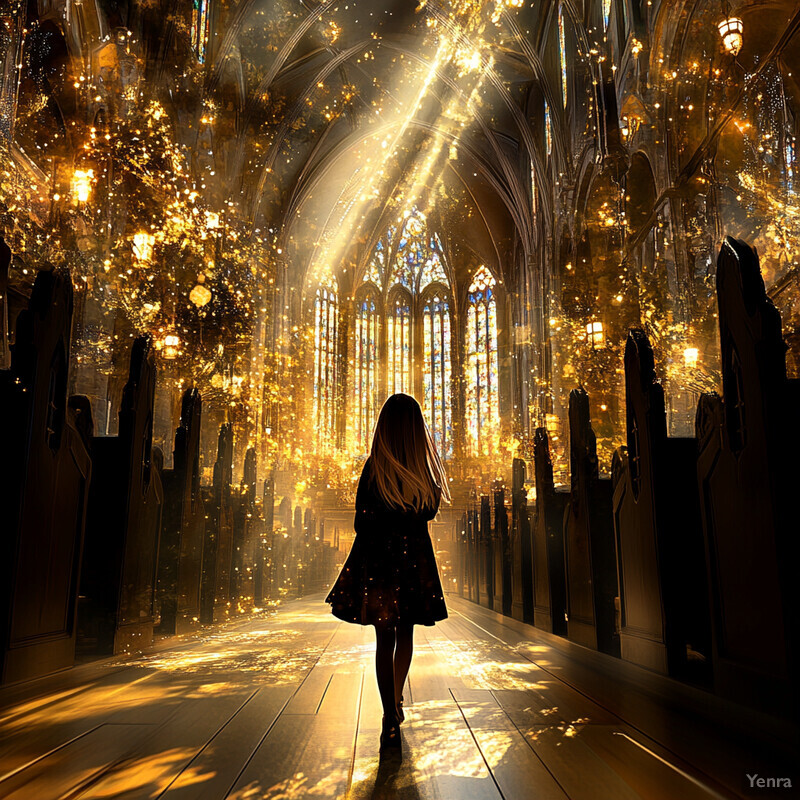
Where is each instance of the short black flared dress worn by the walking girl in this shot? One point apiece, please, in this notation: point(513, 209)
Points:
point(390, 575)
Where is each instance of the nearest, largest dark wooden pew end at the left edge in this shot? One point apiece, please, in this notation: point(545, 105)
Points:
point(44, 479)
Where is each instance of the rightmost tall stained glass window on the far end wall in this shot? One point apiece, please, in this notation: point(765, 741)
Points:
point(482, 410)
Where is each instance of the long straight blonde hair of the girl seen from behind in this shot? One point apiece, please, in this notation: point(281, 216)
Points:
point(407, 471)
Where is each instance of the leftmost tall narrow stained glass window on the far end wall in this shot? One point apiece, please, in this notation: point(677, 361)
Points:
point(326, 323)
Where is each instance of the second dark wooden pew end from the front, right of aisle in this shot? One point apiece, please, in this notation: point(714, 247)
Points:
point(660, 556)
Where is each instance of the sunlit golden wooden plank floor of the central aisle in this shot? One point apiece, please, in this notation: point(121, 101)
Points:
point(285, 705)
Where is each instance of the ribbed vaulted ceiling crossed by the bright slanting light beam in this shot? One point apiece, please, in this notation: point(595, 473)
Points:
point(372, 107)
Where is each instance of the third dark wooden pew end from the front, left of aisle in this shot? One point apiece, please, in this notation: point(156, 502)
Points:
point(180, 560)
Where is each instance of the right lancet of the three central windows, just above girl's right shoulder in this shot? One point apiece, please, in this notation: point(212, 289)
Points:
point(436, 378)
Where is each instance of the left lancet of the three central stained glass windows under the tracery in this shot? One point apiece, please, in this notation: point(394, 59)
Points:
point(366, 366)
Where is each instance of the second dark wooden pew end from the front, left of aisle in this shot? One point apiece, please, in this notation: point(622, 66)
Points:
point(118, 579)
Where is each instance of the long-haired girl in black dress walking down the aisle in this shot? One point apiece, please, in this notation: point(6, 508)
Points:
point(390, 579)
